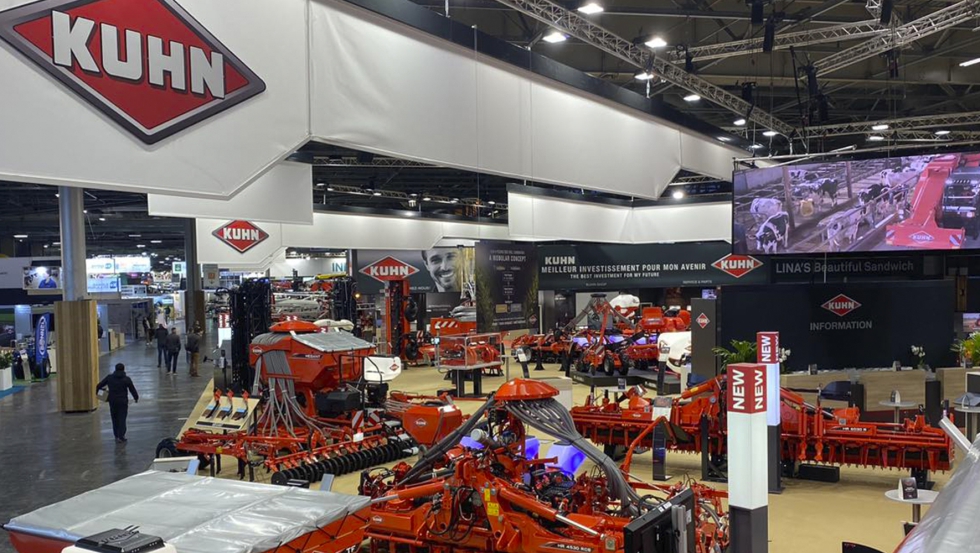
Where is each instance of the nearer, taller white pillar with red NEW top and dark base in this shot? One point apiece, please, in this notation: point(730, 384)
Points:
point(747, 458)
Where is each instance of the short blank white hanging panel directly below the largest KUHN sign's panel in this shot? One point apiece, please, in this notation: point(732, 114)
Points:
point(282, 195)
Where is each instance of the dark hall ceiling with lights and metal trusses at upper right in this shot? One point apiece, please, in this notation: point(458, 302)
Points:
point(929, 73)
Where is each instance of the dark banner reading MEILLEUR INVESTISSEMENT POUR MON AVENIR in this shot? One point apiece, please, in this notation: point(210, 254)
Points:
point(619, 266)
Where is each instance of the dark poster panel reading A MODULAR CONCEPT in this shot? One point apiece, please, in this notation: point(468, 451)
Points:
point(506, 286)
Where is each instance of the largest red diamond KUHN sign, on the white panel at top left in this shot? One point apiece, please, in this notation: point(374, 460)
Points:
point(147, 64)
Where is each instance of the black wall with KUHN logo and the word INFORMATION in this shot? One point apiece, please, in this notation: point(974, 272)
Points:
point(839, 326)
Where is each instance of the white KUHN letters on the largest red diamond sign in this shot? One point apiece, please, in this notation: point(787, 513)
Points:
point(71, 42)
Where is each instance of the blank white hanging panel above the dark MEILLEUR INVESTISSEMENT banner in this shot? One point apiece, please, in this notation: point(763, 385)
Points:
point(543, 218)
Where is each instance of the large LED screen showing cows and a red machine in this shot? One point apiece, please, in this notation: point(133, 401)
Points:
point(888, 204)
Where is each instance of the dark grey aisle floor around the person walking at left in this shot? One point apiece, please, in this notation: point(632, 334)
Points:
point(47, 456)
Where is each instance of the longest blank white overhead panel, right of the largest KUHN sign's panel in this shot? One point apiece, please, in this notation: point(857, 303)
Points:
point(384, 87)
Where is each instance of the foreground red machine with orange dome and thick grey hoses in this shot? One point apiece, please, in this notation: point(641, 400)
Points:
point(491, 495)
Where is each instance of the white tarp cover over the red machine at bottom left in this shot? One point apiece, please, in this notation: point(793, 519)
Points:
point(194, 514)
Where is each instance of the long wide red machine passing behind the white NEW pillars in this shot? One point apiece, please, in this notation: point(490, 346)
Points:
point(810, 433)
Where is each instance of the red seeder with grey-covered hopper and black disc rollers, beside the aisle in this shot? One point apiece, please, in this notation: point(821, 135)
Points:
point(323, 409)
